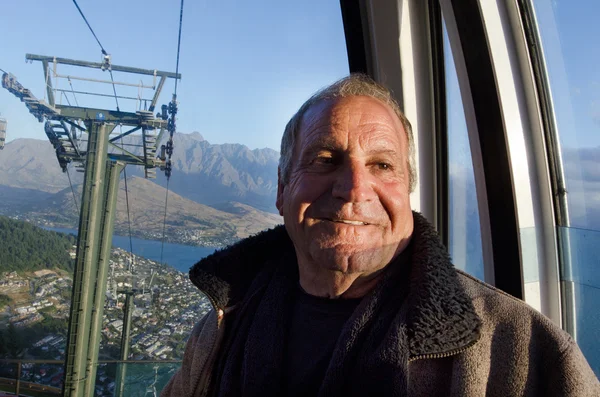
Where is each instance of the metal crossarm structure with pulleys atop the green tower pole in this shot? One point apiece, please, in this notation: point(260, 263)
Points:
point(62, 121)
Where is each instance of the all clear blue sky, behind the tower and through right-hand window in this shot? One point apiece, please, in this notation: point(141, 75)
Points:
point(246, 69)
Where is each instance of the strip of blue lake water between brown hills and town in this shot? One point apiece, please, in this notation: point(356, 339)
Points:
point(179, 256)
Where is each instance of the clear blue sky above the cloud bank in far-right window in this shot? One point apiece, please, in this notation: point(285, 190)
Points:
point(569, 30)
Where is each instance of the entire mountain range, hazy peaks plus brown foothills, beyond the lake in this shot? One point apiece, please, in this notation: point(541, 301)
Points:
point(217, 193)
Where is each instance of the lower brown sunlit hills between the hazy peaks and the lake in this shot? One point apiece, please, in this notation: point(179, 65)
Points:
point(186, 221)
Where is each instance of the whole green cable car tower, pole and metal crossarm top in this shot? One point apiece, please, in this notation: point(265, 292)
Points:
point(65, 125)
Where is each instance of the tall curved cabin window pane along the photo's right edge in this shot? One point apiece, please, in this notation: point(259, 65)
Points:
point(573, 79)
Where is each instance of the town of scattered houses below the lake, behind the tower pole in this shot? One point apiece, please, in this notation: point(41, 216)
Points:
point(166, 307)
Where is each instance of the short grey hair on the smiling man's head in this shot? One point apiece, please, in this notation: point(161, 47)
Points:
point(353, 85)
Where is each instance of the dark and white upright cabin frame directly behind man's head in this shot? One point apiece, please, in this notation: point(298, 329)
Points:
point(400, 44)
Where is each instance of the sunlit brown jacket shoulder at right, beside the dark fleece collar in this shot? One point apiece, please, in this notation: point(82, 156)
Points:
point(513, 332)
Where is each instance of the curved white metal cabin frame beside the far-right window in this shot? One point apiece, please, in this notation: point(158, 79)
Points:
point(528, 155)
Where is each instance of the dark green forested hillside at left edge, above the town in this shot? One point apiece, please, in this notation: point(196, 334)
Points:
point(26, 247)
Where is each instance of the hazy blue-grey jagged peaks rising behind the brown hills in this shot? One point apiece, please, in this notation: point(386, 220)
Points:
point(203, 172)
